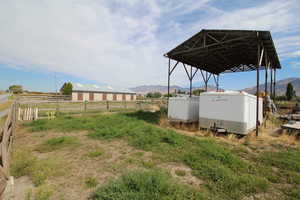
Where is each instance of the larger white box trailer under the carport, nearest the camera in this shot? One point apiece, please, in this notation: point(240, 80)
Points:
point(231, 110)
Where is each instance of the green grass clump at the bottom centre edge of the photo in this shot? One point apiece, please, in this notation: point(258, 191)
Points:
point(149, 185)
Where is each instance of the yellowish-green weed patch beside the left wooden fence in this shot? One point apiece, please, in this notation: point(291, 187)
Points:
point(39, 170)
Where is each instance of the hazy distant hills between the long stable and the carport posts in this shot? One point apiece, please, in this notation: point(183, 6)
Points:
point(144, 89)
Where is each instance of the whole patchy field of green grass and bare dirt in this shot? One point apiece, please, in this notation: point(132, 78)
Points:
point(138, 155)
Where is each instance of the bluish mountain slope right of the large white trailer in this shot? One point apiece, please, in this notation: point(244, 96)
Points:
point(280, 86)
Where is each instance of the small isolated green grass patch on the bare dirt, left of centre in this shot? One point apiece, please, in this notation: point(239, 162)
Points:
point(58, 143)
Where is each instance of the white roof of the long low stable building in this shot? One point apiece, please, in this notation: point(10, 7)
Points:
point(97, 88)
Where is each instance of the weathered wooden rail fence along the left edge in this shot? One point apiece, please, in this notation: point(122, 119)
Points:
point(6, 140)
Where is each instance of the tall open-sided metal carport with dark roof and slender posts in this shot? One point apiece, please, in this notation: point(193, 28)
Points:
point(213, 52)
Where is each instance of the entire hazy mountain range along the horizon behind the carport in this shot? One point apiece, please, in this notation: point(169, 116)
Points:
point(280, 87)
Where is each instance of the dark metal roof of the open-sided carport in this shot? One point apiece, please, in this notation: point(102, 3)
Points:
point(219, 51)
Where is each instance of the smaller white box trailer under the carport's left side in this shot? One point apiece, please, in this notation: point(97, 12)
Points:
point(183, 109)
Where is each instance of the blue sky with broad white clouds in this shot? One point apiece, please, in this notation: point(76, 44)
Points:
point(44, 43)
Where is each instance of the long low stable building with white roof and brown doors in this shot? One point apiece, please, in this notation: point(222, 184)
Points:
point(87, 92)
